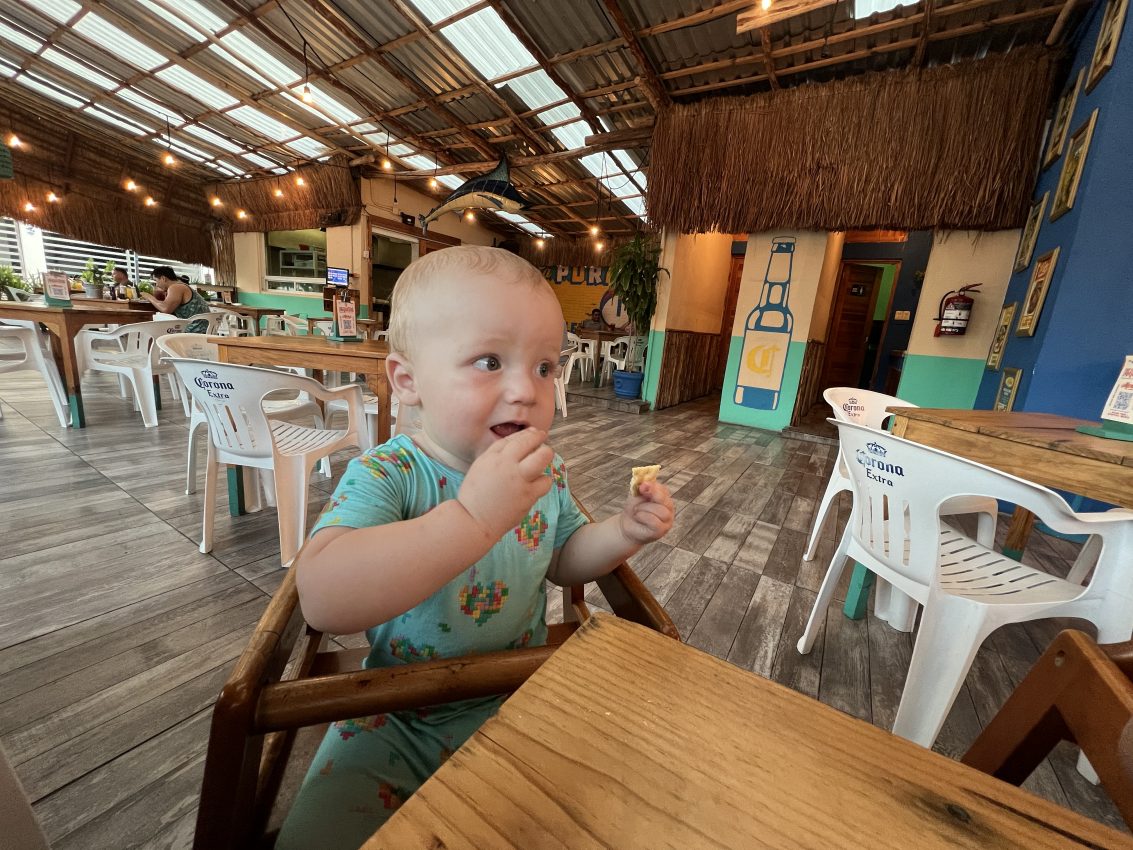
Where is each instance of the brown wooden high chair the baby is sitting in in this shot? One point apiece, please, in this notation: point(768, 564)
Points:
point(287, 679)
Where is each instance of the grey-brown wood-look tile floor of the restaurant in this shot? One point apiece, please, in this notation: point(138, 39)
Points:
point(116, 633)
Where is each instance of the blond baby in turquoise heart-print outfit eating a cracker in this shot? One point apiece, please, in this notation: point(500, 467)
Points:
point(440, 545)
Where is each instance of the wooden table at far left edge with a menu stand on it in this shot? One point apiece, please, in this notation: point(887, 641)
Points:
point(65, 324)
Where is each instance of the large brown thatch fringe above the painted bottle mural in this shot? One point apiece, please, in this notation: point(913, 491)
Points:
point(952, 147)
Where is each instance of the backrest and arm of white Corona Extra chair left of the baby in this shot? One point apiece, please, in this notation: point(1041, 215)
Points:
point(232, 397)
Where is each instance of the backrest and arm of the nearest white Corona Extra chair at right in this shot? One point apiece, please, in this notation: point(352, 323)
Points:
point(896, 479)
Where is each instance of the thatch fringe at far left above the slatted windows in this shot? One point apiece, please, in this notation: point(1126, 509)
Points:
point(107, 222)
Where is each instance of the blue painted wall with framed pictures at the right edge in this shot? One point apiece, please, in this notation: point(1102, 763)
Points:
point(1085, 330)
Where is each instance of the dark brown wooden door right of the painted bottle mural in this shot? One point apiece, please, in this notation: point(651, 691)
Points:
point(850, 326)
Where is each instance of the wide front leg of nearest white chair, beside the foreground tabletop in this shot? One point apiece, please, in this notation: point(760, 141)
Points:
point(949, 640)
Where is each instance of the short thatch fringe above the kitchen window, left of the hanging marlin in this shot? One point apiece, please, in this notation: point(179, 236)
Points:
point(330, 197)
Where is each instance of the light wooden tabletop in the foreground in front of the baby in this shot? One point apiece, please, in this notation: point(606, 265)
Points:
point(628, 739)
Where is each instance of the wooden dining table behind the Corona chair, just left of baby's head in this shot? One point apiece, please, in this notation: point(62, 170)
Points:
point(320, 355)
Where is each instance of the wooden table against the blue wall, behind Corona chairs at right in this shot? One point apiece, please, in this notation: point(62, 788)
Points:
point(1044, 448)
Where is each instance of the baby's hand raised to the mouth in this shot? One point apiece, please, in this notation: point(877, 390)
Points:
point(506, 481)
